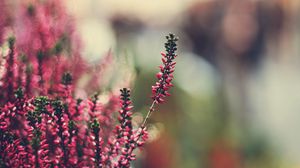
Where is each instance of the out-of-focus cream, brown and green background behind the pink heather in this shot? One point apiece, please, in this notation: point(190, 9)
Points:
point(236, 100)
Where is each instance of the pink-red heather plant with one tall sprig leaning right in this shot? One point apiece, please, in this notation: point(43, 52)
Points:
point(43, 122)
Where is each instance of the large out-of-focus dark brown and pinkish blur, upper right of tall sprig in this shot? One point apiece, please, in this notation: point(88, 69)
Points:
point(233, 29)
